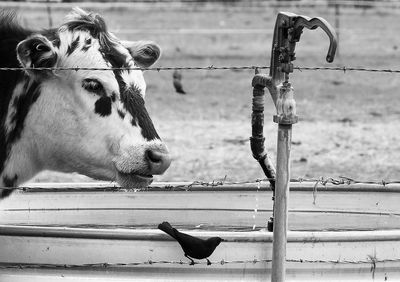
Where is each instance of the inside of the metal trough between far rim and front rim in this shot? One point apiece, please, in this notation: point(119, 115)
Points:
point(334, 208)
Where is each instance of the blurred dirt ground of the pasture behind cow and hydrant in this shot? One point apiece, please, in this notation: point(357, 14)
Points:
point(349, 122)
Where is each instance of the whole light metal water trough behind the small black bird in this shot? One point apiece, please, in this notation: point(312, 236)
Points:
point(339, 233)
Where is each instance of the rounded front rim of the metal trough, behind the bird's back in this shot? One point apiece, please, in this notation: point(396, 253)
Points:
point(229, 236)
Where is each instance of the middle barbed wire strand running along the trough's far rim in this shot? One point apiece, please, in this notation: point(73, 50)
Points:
point(324, 181)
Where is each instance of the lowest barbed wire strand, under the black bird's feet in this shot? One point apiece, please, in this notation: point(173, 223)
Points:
point(370, 260)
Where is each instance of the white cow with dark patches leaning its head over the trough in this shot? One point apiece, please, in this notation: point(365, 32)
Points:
point(89, 121)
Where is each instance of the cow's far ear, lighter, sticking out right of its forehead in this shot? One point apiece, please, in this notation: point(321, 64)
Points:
point(144, 53)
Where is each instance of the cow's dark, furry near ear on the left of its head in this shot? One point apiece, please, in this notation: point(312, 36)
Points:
point(36, 52)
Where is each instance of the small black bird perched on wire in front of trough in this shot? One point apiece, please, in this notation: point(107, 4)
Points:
point(193, 247)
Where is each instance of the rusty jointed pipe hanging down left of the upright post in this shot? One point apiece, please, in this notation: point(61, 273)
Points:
point(257, 139)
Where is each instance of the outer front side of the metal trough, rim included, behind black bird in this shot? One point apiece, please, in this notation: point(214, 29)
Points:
point(318, 256)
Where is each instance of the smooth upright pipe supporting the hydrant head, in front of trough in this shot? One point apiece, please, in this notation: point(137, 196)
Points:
point(281, 203)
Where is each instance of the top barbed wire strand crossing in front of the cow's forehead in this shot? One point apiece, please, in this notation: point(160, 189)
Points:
point(343, 69)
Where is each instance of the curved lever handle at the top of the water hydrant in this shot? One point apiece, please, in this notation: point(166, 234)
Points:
point(312, 23)
